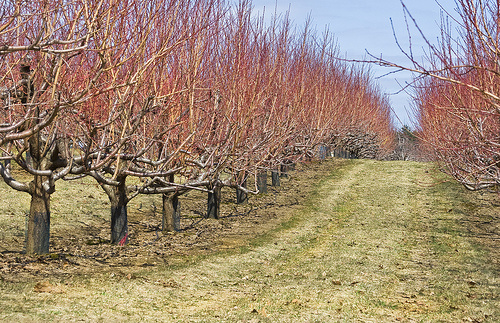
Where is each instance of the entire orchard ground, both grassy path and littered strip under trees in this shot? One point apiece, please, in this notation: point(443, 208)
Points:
point(339, 241)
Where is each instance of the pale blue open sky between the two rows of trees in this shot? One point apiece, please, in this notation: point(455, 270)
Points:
point(362, 26)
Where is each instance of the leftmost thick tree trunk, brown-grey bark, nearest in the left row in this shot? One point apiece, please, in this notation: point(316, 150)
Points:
point(38, 233)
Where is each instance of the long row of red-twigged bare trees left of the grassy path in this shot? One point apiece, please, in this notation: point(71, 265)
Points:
point(163, 97)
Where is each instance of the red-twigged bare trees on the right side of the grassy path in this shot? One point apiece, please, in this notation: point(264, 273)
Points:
point(457, 96)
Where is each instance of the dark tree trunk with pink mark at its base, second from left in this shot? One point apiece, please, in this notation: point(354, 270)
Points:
point(119, 224)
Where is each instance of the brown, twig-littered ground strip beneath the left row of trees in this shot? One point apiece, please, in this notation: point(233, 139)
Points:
point(80, 237)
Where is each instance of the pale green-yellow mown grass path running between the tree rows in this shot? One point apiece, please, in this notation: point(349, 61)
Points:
point(374, 244)
